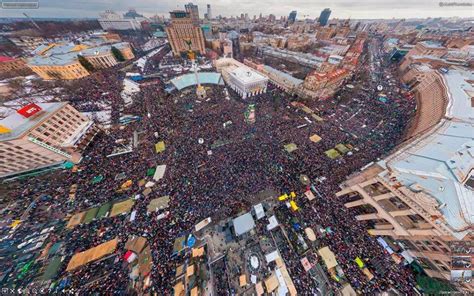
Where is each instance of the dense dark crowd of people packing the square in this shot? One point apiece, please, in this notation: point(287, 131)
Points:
point(213, 169)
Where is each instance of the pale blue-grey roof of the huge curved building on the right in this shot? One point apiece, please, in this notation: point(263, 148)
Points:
point(439, 163)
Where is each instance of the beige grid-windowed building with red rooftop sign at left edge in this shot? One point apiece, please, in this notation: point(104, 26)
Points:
point(42, 135)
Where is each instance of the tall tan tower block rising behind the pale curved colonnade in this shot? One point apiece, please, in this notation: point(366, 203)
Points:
point(184, 34)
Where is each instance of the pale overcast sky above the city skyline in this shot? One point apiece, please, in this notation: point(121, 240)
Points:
point(369, 9)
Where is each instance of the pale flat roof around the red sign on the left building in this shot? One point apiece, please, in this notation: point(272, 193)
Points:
point(19, 124)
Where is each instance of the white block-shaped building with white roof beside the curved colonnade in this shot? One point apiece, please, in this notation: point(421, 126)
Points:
point(241, 78)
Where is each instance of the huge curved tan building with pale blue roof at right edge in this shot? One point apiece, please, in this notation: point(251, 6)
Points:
point(422, 195)
